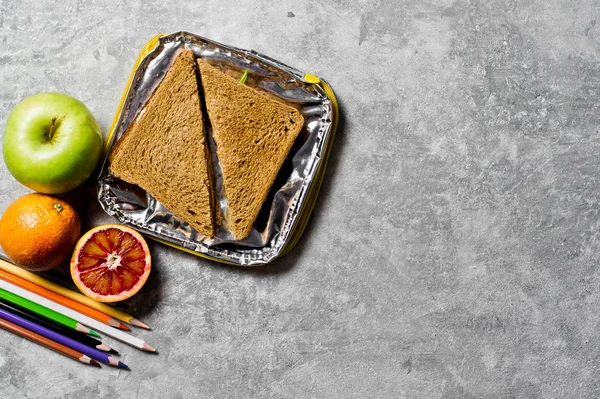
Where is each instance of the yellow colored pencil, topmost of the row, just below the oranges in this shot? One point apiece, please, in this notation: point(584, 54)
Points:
point(59, 289)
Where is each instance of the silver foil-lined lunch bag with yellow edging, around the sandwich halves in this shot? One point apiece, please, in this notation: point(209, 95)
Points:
point(287, 199)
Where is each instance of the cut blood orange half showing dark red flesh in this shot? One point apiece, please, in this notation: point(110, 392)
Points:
point(110, 263)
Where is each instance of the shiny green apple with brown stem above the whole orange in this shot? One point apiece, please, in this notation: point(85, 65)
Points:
point(52, 143)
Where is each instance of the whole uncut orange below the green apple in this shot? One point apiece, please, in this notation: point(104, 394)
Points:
point(38, 231)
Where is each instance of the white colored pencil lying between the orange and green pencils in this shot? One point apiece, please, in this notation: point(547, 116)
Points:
point(88, 321)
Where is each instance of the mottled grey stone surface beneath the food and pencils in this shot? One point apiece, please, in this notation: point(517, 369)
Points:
point(454, 249)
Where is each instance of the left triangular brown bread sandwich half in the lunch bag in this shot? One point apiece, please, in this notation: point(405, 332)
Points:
point(165, 151)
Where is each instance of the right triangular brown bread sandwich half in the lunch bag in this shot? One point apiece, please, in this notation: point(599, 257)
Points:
point(253, 133)
